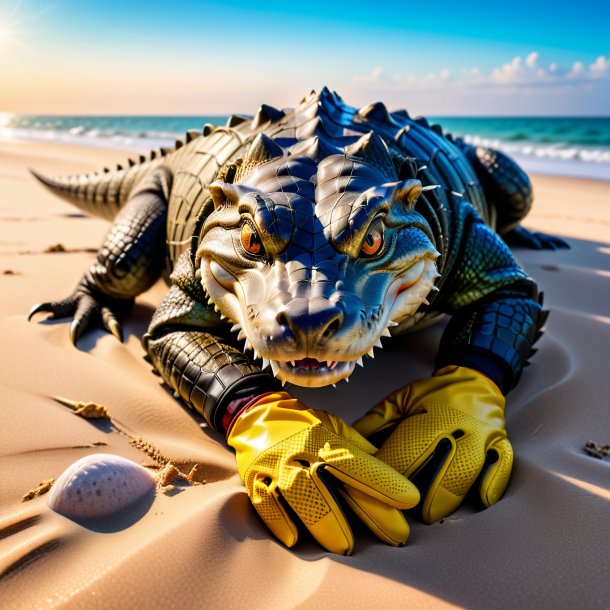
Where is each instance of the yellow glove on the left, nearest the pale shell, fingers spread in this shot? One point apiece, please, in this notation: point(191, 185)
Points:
point(294, 461)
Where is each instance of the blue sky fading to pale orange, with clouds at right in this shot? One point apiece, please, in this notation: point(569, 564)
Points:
point(437, 58)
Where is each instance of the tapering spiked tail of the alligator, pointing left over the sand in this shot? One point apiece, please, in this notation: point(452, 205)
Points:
point(101, 194)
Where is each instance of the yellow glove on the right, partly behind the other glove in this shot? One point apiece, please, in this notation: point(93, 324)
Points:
point(451, 432)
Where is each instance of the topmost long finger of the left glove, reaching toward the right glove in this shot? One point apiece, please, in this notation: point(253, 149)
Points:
point(371, 476)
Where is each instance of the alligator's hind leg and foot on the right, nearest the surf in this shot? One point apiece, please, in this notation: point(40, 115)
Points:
point(509, 190)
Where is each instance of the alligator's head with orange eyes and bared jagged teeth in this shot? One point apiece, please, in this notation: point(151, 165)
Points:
point(314, 252)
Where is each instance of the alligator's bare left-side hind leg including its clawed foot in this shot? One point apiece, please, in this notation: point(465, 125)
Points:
point(129, 262)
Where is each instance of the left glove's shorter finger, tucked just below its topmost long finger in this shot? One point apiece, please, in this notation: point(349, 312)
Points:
point(387, 523)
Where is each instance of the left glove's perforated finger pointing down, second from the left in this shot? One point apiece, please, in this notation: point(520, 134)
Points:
point(311, 496)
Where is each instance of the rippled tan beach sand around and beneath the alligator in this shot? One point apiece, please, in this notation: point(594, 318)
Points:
point(544, 545)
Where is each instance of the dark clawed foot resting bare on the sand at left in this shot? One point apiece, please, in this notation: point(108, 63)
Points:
point(89, 309)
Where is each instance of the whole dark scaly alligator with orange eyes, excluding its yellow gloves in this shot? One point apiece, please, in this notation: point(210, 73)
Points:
point(295, 240)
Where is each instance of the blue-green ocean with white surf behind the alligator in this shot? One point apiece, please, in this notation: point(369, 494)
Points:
point(568, 146)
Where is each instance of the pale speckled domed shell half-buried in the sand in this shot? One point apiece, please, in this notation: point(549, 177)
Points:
point(99, 485)
